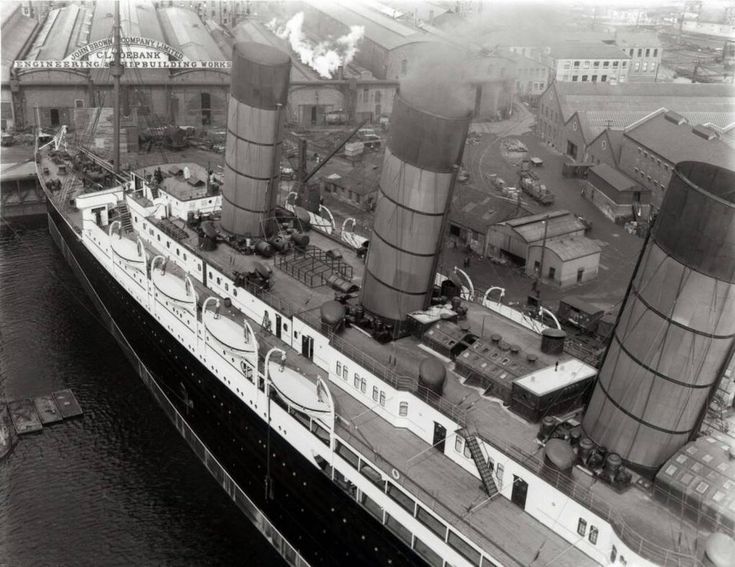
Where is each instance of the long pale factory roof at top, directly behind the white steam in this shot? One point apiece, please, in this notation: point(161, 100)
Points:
point(379, 29)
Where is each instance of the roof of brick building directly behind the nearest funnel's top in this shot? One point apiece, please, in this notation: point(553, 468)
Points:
point(679, 143)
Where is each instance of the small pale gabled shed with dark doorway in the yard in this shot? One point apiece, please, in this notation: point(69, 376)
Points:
point(566, 261)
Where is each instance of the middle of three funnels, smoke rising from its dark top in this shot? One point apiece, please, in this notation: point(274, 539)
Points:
point(419, 171)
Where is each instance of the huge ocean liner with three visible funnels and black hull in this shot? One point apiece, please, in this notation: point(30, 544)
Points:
point(360, 408)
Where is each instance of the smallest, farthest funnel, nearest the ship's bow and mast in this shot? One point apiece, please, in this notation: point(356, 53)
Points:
point(258, 93)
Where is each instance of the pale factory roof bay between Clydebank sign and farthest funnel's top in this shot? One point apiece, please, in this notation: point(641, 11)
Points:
point(184, 30)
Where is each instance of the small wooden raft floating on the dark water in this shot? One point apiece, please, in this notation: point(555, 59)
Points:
point(21, 417)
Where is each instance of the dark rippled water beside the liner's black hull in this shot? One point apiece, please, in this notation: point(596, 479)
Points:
point(118, 486)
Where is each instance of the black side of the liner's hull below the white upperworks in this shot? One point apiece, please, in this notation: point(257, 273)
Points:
point(308, 517)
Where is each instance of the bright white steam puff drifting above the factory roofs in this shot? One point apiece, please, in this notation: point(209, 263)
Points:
point(324, 57)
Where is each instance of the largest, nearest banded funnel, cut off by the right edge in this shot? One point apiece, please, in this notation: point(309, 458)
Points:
point(676, 330)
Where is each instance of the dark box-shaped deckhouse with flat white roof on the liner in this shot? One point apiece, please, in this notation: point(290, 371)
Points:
point(552, 390)
